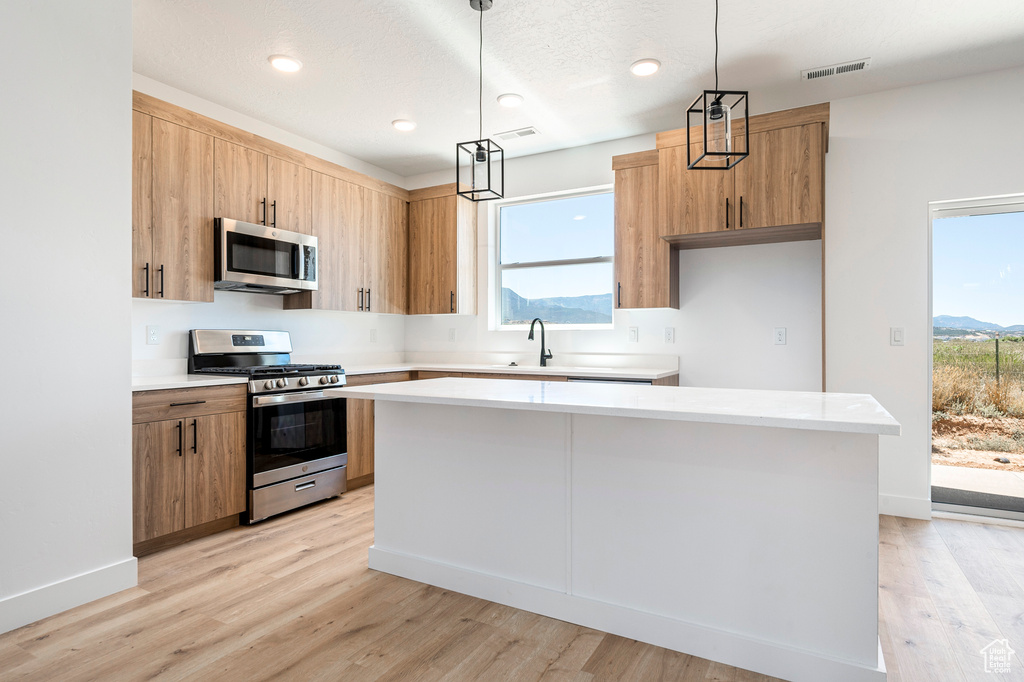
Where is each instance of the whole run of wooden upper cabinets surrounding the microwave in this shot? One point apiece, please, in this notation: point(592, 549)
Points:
point(188, 169)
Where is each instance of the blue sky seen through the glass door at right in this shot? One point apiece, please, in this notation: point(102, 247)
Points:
point(978, 268)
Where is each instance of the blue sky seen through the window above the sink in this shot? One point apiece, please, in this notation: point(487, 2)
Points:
point(559, 230)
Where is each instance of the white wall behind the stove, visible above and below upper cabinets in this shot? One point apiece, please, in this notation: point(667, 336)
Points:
point(346, 336)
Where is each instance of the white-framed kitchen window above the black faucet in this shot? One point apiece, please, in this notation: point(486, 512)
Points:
point(554, 261)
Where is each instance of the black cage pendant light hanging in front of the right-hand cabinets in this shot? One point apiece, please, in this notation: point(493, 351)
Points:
point(714, 112)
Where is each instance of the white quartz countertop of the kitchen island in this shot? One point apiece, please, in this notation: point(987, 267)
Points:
point(854, 413)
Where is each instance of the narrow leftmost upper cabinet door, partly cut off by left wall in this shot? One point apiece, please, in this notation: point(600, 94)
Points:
point(142, 205)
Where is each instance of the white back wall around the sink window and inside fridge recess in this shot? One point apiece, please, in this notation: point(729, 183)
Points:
point(732, 299)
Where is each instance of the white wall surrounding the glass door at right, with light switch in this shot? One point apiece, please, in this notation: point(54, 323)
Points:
point(891, 154)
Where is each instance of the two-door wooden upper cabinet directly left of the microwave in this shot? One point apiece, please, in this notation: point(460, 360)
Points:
point(173, 211)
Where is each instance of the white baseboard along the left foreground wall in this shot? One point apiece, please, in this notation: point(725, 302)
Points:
point(21, 610)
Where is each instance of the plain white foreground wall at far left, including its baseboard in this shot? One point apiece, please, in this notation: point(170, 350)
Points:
point(66, 189)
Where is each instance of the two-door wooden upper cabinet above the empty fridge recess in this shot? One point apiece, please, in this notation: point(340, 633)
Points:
point(781, 185)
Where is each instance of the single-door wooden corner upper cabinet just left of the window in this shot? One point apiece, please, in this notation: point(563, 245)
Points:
point(442, 252)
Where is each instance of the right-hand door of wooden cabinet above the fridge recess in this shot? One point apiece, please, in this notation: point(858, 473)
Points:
point(782, 183)
